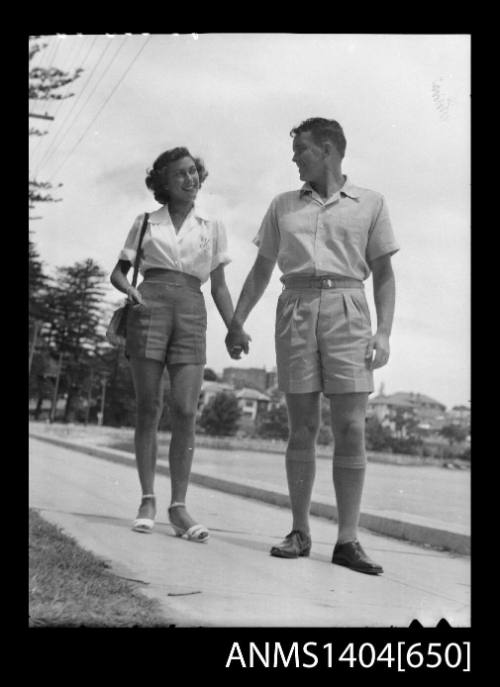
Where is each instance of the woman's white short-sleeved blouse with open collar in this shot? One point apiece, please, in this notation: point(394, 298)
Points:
point(198, 248)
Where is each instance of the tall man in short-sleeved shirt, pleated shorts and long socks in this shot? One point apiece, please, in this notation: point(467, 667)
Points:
point(327, 238)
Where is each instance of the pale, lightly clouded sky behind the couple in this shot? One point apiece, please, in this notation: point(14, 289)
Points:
point(232, 99)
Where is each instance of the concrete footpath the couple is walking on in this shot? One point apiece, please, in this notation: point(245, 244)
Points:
point(231, 581)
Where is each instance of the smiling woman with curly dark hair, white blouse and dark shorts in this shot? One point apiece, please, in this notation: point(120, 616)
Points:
point(182, 247)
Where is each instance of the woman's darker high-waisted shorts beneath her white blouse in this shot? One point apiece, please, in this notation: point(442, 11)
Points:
point(170, 326)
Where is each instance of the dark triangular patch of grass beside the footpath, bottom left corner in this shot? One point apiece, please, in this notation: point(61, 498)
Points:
point(70, 587)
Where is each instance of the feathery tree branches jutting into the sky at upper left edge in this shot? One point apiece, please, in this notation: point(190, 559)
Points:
point(44, 84)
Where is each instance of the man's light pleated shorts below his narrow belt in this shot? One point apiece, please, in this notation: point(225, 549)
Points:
point(321, 339)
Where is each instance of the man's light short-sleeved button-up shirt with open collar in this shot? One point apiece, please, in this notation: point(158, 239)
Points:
point(341, 235)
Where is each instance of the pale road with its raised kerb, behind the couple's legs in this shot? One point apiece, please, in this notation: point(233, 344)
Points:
point(426, 505)
